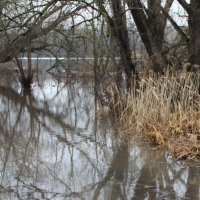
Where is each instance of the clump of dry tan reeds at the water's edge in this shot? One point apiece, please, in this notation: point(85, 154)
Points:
point(166, 110)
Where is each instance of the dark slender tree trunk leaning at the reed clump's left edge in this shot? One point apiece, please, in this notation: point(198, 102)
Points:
point(118, 28)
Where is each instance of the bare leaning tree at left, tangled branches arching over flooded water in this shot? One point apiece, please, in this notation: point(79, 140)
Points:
point(24, 22)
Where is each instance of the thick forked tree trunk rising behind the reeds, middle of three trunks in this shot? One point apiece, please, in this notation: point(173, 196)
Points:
point(151, 27)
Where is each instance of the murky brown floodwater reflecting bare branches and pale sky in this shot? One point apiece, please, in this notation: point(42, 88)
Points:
point(53, 146)
